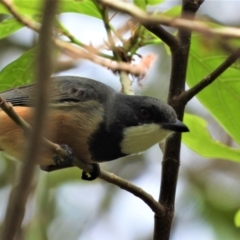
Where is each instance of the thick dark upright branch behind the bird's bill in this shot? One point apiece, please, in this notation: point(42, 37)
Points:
point(171, 158)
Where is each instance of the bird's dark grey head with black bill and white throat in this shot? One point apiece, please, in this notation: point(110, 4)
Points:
point(145, 121)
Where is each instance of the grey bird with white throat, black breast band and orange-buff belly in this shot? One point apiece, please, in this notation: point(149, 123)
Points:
point(97, 123)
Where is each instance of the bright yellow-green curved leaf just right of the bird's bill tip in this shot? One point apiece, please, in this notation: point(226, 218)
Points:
point(201, 142)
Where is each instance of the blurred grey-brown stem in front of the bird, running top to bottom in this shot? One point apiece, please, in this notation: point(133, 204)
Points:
point(19, 195)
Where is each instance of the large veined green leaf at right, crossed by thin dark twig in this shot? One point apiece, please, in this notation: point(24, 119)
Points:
point(222, 97)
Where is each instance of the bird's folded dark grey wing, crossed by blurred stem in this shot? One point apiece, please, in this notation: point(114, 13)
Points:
point(65, 89)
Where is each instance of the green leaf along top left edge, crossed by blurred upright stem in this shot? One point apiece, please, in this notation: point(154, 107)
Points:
point(34, 7)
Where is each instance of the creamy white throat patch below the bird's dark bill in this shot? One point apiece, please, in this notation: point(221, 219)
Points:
point(138, 139)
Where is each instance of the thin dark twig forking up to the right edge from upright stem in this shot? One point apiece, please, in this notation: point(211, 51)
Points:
point(189, 94)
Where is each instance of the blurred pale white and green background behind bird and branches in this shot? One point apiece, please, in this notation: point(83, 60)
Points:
point(62, 206)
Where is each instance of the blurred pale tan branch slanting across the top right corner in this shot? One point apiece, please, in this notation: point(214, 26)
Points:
point(147, 19)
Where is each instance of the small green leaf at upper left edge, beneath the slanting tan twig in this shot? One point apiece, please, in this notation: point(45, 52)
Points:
point(9, 26)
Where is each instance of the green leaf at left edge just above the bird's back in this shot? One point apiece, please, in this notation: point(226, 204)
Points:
point(18, 72)
